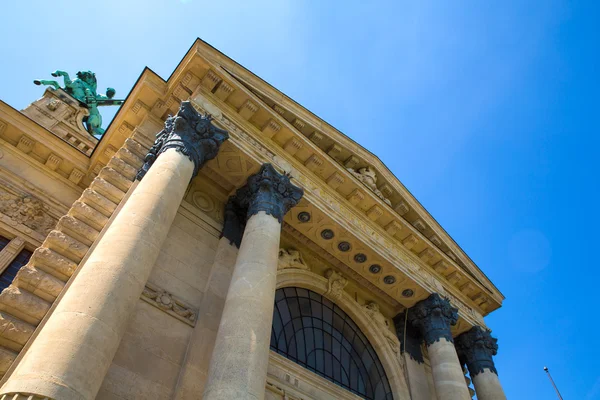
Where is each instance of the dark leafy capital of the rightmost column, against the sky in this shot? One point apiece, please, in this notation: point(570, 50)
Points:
point(476, 348)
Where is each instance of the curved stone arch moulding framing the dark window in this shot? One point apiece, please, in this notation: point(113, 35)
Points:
point(392, 364)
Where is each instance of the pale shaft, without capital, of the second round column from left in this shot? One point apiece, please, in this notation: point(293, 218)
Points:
point(238, 368)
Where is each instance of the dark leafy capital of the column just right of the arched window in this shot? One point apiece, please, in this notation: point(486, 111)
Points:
point(433, 318)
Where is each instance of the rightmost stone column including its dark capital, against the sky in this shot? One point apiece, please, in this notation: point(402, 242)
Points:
point(476, 348)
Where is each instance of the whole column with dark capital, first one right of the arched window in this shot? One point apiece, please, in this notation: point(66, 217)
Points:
point(433, 318)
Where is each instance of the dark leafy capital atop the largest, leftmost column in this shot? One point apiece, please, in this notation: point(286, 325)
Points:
point(191, 134)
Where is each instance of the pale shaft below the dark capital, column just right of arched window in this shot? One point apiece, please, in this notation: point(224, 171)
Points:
point(448, 378)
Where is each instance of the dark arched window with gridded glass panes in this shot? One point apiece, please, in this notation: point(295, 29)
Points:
point(315, 333)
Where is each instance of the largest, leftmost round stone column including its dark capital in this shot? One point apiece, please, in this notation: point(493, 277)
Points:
point(73, 351)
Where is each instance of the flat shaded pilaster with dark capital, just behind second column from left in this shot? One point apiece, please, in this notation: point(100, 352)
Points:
point(195, 368)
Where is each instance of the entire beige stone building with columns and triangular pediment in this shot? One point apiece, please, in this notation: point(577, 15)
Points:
point(222, 242)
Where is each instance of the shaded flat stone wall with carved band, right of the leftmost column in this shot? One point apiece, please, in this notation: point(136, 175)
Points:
point(153, 351)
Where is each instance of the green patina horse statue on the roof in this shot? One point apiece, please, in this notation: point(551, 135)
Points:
point(84, 90)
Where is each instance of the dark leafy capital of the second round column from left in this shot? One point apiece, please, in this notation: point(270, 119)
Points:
point(269, 191)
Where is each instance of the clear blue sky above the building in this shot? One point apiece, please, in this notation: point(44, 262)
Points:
point(486, 111)
